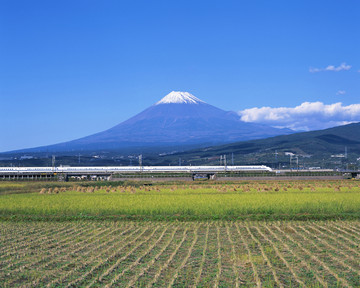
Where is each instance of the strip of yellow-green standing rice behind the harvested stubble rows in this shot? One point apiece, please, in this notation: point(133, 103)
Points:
point(200, 202)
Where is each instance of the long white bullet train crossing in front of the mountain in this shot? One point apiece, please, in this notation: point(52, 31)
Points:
point(130, 169)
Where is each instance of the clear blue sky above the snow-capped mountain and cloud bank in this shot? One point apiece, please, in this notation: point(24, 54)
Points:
point(72, 68)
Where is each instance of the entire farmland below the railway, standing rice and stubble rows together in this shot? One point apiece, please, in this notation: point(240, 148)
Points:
point(207, 234)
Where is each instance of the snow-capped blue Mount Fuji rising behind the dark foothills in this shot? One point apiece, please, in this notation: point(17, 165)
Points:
point(177, 119)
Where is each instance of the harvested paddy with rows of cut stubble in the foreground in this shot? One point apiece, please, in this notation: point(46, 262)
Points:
point(180, 254)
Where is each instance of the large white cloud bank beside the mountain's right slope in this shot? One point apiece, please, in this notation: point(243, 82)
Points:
point(307, 116)
